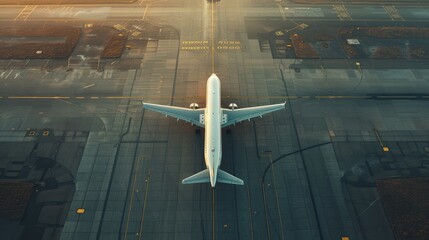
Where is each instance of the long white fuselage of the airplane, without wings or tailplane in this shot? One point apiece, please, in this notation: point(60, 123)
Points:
point(213, 133)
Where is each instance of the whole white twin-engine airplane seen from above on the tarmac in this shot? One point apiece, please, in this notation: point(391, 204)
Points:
point(213, 118)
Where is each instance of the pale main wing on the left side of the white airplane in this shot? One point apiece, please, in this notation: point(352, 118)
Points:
point(188, 115)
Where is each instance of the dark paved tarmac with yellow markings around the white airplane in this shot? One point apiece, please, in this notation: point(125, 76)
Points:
point(308, 170)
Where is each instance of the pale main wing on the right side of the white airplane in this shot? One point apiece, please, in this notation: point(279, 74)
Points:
point(238, 115)
